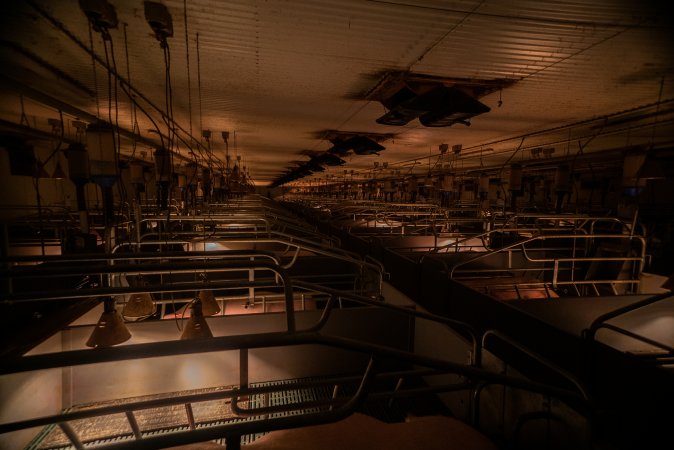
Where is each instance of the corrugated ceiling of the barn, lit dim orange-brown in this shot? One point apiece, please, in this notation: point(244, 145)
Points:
point(282, 77)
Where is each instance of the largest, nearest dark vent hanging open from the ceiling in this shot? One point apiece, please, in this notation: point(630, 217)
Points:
point(440, 106)
